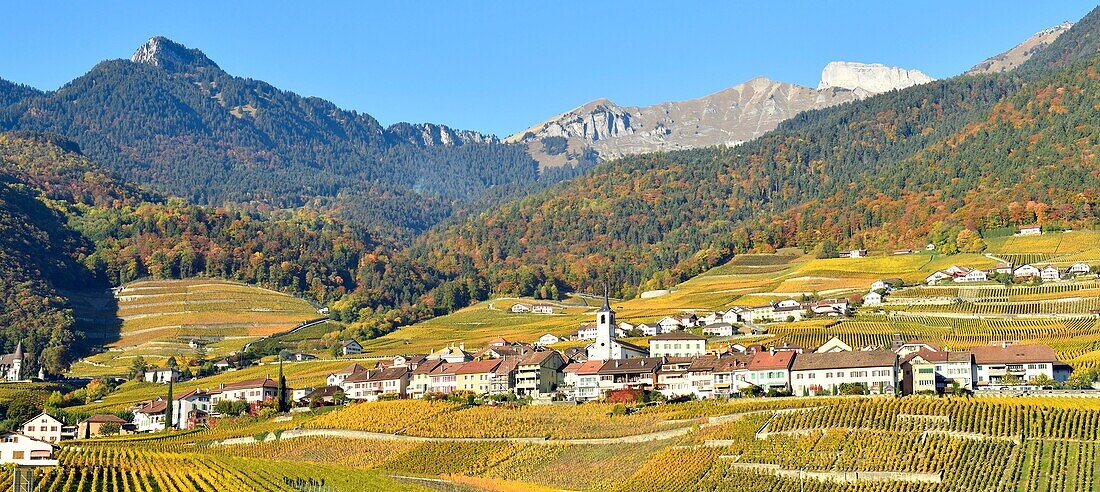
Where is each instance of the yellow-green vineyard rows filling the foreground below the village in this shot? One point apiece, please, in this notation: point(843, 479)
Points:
point(841, 444)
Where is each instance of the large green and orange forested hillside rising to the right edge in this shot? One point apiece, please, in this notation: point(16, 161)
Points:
point(897, 170)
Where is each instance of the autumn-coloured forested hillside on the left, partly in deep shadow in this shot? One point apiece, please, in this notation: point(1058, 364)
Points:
point(70, 226)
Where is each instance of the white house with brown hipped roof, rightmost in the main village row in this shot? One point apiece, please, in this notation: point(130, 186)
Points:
point(994, 364)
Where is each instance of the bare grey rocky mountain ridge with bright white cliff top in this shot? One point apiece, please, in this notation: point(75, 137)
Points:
point(731, 117)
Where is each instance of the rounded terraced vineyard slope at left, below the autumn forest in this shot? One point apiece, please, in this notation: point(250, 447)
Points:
point(157, 320)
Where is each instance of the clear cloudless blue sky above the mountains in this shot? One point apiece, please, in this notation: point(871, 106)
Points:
point(501, 67)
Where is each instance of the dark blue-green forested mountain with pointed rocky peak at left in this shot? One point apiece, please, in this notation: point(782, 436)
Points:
point(172, 119)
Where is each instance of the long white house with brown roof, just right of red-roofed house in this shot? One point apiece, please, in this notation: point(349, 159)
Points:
point(824, 374)
